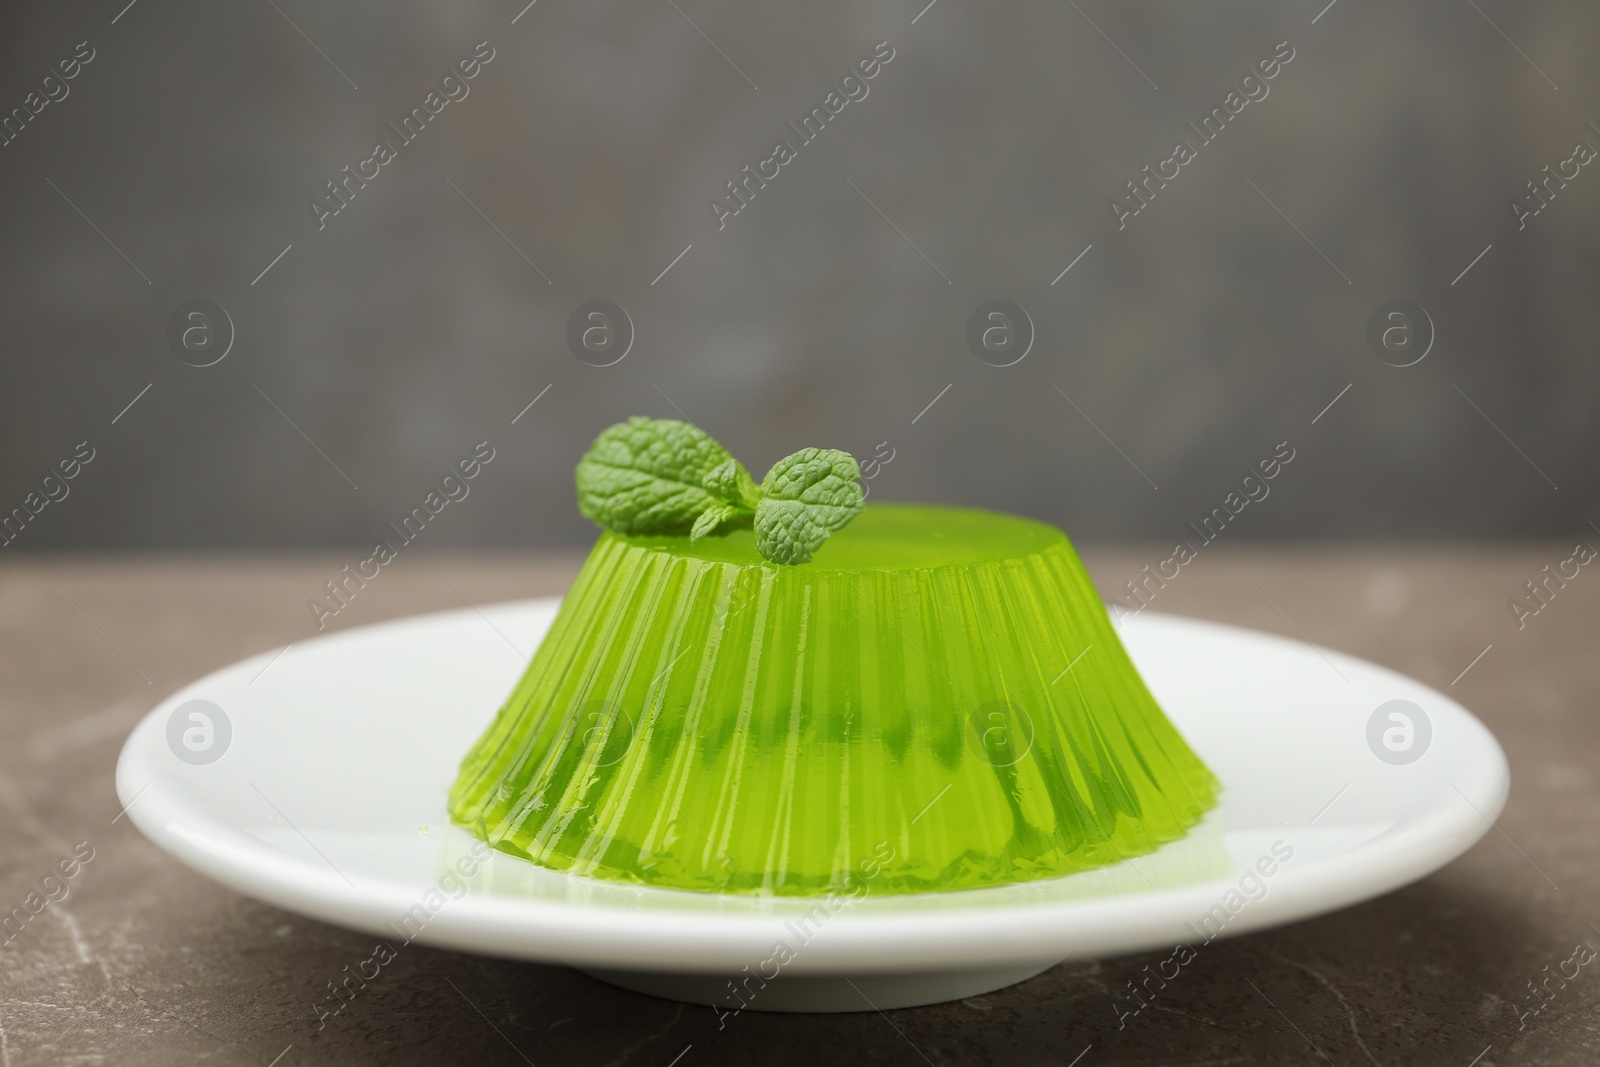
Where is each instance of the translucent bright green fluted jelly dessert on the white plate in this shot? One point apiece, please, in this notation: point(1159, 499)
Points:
point(937, 700)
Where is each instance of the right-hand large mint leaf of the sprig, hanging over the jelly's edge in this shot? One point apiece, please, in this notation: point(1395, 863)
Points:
point(804, 500)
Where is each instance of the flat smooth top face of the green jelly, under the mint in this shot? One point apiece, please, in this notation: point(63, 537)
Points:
point(889, 538)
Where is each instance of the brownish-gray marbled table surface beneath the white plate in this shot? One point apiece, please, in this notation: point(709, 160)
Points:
point(150, 964)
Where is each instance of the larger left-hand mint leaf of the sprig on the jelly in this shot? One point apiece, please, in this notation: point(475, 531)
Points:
point(649, 478)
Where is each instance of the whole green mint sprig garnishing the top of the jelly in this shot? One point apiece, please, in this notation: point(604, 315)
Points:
point(668, 478)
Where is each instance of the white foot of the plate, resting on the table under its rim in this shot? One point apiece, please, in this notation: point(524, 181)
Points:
point(822, 993)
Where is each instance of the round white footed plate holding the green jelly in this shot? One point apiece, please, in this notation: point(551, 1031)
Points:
point(329, 801)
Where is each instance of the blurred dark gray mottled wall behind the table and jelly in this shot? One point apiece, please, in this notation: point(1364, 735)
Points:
point(1175, 354)
